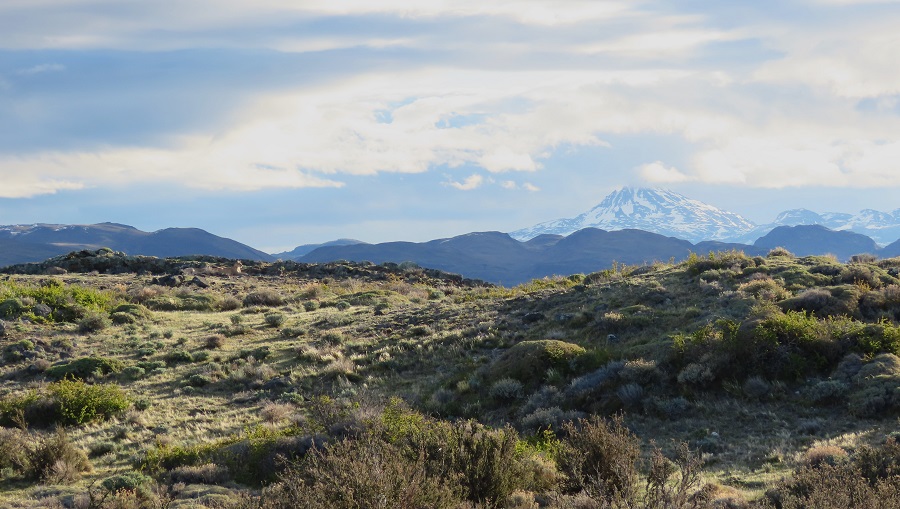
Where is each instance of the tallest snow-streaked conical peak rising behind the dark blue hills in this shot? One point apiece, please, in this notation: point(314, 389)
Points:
point(654, 210)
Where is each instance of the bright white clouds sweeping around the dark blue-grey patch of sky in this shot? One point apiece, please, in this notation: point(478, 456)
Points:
point(785, 116)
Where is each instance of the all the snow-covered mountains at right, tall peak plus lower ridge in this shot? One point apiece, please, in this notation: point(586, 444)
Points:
point(672, 214)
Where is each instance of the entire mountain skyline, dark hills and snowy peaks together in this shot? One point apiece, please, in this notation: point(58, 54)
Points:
point(630, 226)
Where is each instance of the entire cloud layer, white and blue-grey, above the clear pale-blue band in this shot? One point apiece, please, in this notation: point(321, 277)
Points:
point(400, 87)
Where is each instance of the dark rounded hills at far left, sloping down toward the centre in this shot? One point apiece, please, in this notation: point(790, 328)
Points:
point(37, 242)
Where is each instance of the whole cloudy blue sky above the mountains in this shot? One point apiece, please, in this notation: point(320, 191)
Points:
point(286, 122)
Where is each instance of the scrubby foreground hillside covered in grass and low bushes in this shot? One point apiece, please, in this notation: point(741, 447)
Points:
point(751, 373)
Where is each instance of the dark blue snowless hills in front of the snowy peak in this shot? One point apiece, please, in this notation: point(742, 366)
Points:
point(498, 258)
